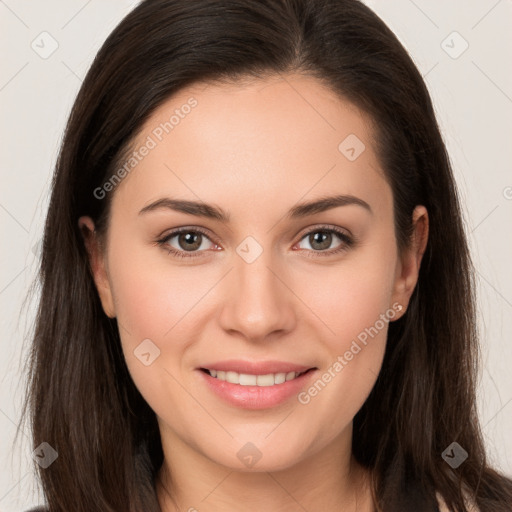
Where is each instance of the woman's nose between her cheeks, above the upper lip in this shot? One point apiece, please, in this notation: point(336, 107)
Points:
point(259, 303)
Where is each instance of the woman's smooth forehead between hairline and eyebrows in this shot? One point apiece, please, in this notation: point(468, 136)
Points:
point(254, 142)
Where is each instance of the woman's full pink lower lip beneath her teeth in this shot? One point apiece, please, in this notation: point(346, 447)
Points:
point(257, 397)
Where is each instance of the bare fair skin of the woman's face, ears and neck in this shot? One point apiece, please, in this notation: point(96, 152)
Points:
point(256, 149)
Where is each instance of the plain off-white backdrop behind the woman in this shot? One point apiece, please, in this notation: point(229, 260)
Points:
point(461, 48)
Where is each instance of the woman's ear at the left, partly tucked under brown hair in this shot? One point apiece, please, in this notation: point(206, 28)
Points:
point(97, 260)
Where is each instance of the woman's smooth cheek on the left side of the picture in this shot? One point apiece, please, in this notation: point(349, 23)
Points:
point(152, 302)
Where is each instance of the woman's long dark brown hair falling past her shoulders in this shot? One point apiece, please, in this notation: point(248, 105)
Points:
point(80, 396)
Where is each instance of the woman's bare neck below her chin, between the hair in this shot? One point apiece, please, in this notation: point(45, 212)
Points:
point(329, 480)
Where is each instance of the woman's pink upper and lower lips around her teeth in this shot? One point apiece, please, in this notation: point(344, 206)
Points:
point(256, 397)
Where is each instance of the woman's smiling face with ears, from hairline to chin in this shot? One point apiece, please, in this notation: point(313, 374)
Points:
point(272, 288)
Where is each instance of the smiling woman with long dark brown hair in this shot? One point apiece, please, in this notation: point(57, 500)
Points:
point(195, 348)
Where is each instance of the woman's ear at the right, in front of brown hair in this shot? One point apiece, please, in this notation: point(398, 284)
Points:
point(408, 265)
